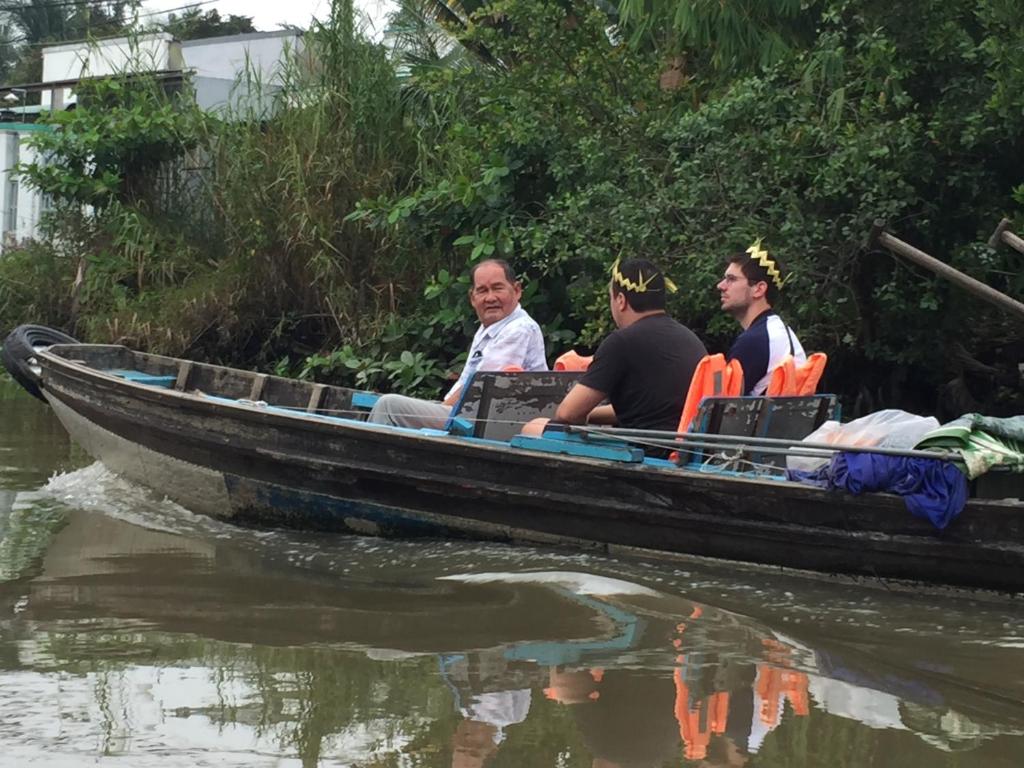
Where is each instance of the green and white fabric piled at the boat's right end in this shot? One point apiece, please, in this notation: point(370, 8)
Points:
point(984, 442)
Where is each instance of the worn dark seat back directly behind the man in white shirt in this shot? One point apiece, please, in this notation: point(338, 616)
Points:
point(496, 405)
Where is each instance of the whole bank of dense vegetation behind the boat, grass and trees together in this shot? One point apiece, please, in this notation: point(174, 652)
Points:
point(564, 136)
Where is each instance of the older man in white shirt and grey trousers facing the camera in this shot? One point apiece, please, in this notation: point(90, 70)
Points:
point(507, 336)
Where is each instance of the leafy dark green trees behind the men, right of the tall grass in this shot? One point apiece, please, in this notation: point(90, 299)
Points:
point(579, 154)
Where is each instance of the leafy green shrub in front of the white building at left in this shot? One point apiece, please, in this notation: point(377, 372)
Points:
point(101, 166)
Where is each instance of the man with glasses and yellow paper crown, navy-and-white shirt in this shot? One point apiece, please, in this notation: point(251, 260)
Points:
point(751, 286)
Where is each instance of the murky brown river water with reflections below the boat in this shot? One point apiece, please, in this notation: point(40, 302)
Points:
point(135, 633)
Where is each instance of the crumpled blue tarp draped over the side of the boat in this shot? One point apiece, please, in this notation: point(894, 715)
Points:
point(931, 488)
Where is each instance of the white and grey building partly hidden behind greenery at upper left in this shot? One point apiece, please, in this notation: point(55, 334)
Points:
point(227, 74)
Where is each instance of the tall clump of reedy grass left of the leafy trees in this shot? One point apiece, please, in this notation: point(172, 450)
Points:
point(289, 165)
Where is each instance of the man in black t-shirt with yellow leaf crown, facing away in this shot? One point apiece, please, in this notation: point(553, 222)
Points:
point(644, 369)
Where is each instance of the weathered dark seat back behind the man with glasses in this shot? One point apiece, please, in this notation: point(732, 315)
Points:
point(780, 418)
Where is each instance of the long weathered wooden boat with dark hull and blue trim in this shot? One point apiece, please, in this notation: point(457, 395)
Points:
point(270, 451)
